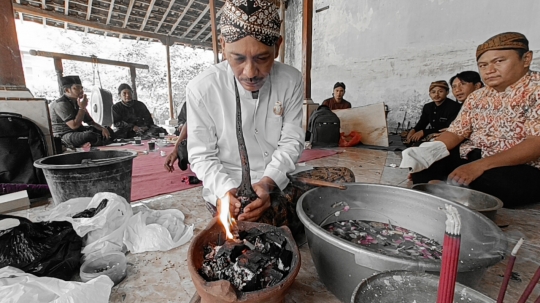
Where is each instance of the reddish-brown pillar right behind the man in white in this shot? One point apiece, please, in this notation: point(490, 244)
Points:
point(307, 29)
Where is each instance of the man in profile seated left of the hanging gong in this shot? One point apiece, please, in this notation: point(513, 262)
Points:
point(68, 114)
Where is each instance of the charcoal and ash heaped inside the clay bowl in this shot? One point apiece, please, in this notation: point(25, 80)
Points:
point(256, 261)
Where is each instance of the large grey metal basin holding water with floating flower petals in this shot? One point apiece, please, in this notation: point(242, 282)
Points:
point(341, 265)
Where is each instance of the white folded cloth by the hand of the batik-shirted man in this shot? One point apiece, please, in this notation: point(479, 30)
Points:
point(419, 158)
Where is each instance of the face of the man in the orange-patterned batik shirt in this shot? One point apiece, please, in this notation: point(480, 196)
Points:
point(502, 68)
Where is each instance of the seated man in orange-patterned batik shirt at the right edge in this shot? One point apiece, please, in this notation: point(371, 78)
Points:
point(494, 144)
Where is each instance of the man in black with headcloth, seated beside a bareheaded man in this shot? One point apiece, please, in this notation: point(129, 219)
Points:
point(437, 114)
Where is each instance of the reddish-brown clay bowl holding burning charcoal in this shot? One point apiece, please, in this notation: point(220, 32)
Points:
point(222, 290)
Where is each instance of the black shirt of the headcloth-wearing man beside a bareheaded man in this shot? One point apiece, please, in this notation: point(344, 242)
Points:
point(438, 117)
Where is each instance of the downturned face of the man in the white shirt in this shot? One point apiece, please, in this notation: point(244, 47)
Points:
point(250, 60)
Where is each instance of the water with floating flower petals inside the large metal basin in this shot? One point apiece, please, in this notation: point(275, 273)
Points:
point(386, 239)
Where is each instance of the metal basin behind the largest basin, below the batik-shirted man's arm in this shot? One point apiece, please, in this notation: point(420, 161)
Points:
point(475, 200)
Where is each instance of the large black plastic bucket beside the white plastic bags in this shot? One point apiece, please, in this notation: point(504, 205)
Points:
point(86, 173)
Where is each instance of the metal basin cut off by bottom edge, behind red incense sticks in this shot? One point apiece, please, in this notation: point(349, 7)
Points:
point(406, 286)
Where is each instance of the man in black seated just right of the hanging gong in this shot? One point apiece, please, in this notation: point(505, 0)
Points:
point(131, 117)
